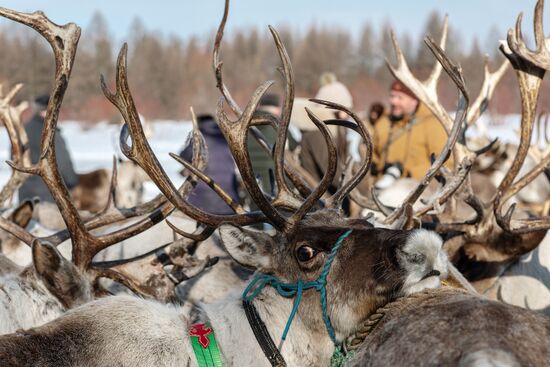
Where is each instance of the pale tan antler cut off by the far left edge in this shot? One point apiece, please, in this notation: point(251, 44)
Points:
point(11, 117)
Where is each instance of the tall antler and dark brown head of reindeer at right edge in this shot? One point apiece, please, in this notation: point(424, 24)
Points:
point(491, 235)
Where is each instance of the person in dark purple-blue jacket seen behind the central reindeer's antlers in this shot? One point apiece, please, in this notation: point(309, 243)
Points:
point(221, 168)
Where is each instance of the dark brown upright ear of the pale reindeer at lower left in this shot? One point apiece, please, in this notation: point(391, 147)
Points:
point(59, 275)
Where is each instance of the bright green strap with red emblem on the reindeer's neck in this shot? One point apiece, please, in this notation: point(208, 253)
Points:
point(210, 355)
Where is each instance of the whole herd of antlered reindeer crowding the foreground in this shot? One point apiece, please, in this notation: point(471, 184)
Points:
point(455, 273)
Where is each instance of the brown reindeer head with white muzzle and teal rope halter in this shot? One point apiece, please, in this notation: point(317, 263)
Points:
point(372, 267)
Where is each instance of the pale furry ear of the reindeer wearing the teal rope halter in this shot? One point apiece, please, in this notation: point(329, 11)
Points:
point(249, 248)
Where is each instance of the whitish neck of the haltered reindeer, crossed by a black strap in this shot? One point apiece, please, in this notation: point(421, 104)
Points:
point(305, 345)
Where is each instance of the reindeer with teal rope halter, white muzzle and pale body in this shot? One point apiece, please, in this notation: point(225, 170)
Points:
point(355, 266)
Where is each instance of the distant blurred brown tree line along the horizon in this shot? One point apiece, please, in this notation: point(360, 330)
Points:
point(169, 74)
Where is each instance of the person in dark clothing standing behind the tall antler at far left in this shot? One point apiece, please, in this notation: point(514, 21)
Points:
point(34, 186)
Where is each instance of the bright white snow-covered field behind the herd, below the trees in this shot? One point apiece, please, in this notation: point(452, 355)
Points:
point(93, 148)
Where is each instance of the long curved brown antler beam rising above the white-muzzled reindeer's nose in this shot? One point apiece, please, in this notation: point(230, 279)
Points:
point(455, 72)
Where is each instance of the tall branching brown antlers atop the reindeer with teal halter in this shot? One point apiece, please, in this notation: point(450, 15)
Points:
point(236, 133)
